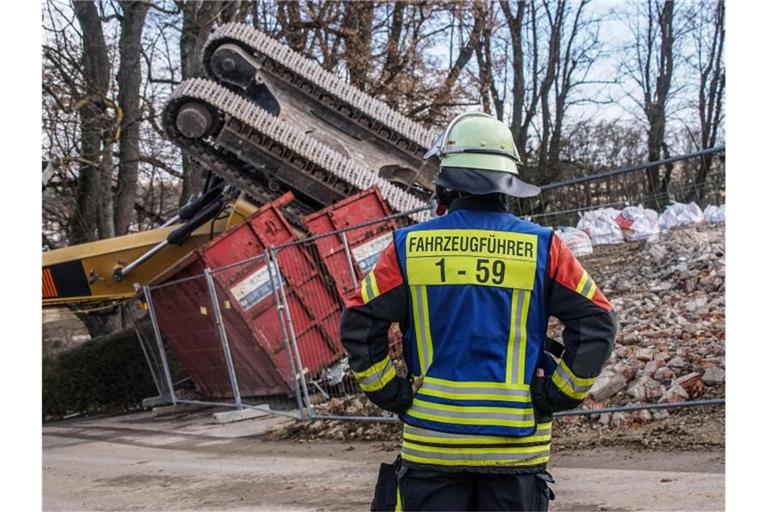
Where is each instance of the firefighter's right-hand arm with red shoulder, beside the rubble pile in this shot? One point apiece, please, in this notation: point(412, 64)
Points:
point(588, 336)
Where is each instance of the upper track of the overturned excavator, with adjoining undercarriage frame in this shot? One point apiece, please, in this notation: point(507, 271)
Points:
point(341, 116)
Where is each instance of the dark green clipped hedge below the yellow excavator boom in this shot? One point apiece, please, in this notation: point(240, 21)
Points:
point(107, 374)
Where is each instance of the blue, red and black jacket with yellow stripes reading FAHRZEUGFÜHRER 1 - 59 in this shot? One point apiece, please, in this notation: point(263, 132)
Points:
point(473, 291)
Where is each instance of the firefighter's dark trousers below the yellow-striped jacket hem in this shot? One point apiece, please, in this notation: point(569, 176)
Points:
point(425, 489)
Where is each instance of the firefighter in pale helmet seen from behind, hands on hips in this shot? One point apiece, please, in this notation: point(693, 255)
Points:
point(472, 290)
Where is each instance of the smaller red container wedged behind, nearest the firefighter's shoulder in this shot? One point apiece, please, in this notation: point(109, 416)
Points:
point(365, 243)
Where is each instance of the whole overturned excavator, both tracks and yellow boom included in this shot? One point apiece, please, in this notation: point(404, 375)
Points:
point(266, 121)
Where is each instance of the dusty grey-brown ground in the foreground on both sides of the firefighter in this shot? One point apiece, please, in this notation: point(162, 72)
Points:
point(187, 462)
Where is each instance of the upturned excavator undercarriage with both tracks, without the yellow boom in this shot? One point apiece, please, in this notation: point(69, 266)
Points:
point(269, 120)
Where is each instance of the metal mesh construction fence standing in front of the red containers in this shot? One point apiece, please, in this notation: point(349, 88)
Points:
point(262, 331)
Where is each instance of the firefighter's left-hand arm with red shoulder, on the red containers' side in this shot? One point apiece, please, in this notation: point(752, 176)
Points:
point(380, 299)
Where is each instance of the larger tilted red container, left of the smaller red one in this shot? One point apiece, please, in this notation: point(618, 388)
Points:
point(247, 304)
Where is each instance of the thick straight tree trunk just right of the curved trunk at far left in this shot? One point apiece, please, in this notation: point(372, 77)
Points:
point(128, 100)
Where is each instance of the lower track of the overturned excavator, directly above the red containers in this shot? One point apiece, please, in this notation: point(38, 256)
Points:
point(212, 121)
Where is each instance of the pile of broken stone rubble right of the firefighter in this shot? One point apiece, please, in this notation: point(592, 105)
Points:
point(669, 296)
